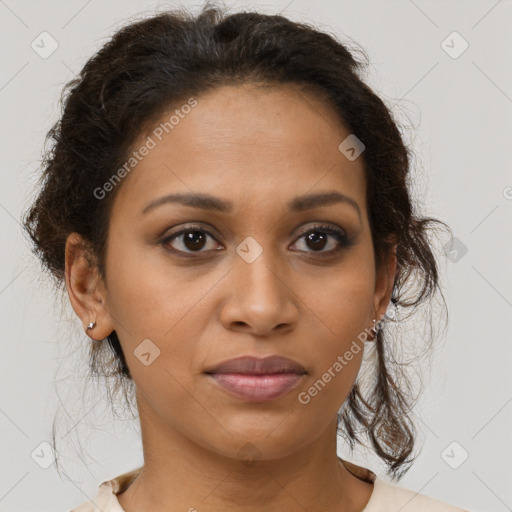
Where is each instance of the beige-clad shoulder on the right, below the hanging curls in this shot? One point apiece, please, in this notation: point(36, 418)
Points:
point(388, 497)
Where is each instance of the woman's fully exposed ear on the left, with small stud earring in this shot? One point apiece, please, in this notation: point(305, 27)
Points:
point(86, 289)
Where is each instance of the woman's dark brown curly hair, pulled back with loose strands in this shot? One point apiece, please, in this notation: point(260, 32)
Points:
point(149, 65)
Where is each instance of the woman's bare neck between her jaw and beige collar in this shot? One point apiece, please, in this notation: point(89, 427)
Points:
point(183, 476)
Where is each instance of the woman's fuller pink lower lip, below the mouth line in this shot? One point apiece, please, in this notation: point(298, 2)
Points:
point(257, 388)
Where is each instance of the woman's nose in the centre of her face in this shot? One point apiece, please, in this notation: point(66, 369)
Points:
point(260, 300)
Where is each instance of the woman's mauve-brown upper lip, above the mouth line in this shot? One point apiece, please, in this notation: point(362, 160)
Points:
point(258, 366)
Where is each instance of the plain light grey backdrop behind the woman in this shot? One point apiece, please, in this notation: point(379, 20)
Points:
point(459, 101)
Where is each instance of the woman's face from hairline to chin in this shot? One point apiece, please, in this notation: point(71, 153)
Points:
point(244, 279)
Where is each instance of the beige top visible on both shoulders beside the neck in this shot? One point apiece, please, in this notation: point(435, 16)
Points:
point(386, 497)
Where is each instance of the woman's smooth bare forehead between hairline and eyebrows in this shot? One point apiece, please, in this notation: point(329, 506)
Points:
point(247, 142)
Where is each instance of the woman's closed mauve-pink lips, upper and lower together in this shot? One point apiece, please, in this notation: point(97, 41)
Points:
point(258, 380)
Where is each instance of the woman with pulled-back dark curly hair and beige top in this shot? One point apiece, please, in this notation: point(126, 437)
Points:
point(227, 204)
